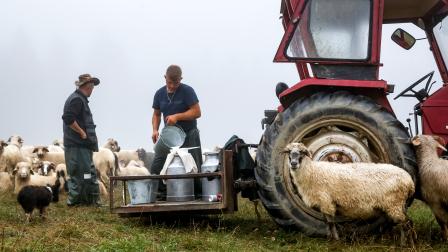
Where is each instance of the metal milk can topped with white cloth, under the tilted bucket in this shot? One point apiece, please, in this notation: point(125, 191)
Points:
point(178, 189)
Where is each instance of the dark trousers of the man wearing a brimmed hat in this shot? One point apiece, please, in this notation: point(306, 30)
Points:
point(82, 184)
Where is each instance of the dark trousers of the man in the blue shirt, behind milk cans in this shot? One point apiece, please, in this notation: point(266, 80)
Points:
point(192, 139)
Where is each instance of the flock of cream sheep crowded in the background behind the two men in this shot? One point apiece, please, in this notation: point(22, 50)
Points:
point(22, 165)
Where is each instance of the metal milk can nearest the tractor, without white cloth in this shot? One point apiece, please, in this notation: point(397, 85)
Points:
point(211, 186)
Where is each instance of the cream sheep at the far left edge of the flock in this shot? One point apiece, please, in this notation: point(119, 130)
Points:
point(11, 154)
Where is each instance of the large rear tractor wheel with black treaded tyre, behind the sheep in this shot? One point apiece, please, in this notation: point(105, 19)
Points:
point(338, 127)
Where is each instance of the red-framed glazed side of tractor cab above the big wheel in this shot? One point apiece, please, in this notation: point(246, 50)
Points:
point(337, 39)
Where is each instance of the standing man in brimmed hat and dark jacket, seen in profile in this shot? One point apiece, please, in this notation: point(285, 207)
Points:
point(80, 142)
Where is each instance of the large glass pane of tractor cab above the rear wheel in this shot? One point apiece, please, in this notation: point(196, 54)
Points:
point(337, 29)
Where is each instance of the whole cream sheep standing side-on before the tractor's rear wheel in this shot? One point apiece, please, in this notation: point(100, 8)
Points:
point(355, 190)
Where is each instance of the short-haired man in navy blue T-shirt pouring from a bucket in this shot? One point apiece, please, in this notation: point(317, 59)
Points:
point(179, 105)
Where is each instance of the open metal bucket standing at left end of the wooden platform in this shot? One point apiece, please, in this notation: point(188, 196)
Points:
point(143, 191)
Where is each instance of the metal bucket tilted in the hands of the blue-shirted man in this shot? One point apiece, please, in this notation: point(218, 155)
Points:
point(171, 136)
